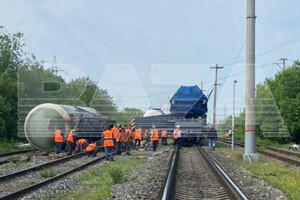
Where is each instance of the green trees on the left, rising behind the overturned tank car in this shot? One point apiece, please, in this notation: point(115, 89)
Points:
point(25, 83)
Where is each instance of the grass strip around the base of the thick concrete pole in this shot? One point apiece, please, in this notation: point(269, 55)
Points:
point(279, 174)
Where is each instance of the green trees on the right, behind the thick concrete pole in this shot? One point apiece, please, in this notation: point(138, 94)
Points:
point(277, 108)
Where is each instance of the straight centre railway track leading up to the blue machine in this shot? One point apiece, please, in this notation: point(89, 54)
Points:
point(194, 174)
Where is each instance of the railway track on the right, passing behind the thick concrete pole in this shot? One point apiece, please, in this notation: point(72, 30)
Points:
point(280, 154)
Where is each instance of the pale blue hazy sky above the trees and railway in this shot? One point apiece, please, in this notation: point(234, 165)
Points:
point(141, 51)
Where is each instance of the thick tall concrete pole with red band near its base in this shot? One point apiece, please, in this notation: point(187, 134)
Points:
point(250, 155)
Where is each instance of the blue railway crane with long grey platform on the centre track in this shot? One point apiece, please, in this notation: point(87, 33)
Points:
point(188, 110)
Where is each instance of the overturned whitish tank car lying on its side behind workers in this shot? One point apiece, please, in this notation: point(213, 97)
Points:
point(44, 119)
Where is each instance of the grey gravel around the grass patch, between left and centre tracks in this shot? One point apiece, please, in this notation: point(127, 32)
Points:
point(149, 178)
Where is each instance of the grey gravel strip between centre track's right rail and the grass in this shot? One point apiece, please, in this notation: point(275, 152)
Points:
point(253, 188)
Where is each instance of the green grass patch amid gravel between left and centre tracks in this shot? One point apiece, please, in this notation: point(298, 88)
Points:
point(98, 181)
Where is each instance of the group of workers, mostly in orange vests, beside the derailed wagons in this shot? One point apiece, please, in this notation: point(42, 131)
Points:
point(120, 137)
